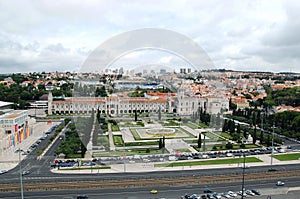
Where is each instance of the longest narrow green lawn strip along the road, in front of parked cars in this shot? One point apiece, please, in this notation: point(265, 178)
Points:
point(209, 162)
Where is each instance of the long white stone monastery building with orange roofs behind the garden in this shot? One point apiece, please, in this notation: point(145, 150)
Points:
point(114, 105)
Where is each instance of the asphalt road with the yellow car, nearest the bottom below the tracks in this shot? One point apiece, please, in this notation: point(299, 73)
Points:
point(266, 187)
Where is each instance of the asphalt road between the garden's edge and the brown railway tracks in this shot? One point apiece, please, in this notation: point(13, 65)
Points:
point(43, 174)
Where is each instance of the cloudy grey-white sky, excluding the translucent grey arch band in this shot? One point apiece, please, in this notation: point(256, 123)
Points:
point(60, 35)
